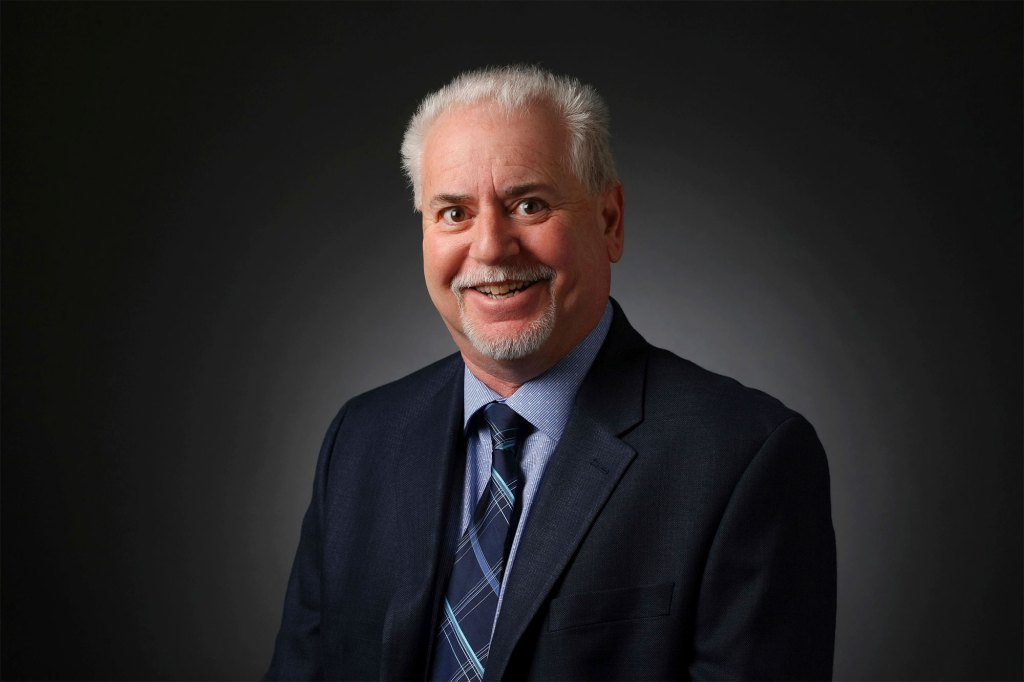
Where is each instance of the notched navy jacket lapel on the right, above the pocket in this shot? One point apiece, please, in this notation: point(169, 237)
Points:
point(582, 475)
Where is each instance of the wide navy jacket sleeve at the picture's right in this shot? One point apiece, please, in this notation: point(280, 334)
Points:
point(767, 603)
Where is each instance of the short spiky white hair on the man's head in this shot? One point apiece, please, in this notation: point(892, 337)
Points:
point(516, 89)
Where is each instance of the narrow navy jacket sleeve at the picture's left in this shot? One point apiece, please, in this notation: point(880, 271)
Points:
point(298, 654)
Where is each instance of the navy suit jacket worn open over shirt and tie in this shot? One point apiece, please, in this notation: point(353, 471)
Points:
point(682, 530)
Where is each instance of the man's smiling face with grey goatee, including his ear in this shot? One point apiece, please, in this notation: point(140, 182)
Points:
point(517, 251)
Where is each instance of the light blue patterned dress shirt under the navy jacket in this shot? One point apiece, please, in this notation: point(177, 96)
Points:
point(545, 403)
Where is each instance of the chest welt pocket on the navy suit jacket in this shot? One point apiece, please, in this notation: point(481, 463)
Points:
point(621, 605)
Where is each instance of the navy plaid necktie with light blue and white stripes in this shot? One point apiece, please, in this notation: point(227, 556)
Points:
point(472, 602)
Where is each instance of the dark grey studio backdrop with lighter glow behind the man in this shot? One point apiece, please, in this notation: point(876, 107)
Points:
point(208, 246)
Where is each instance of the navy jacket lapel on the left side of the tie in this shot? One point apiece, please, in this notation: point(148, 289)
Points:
point(428, 474)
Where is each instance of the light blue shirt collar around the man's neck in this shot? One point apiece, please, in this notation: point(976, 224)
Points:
point(546, 401)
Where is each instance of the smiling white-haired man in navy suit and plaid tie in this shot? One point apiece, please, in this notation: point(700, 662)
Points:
point(560, 500)
